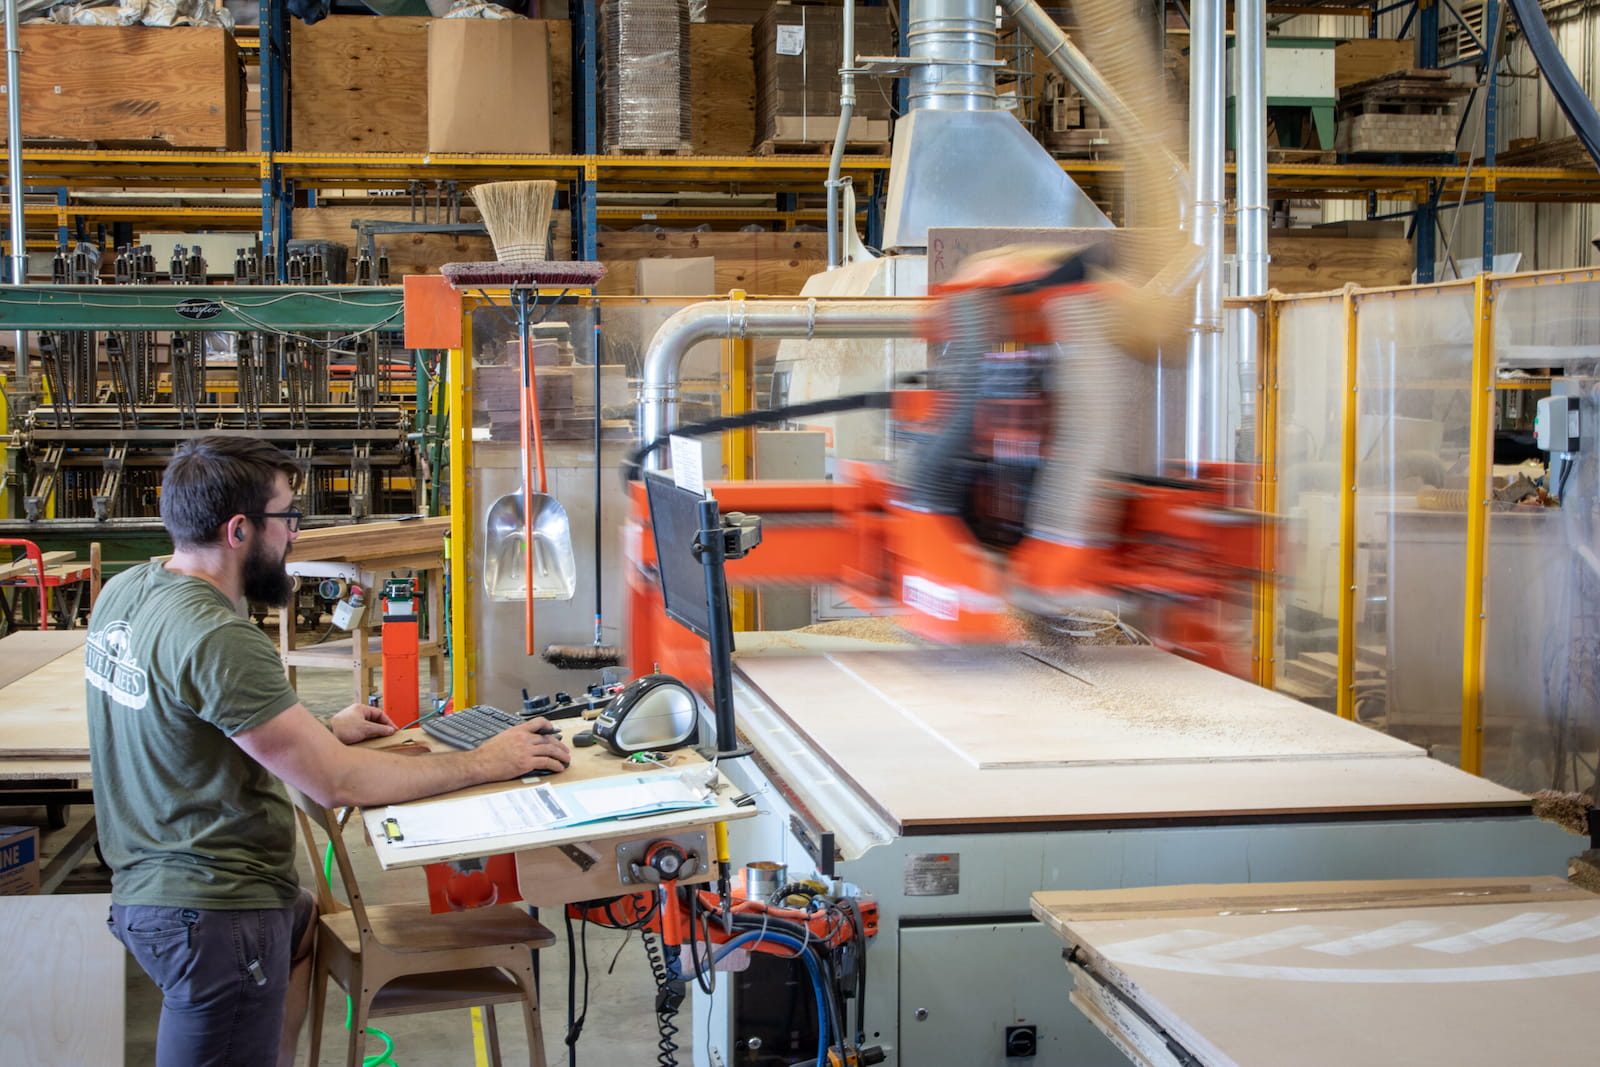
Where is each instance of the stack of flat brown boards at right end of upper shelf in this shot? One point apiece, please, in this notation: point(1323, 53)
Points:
point(1401, 113)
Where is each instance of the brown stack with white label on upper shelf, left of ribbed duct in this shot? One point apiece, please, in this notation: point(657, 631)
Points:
point(799, 52)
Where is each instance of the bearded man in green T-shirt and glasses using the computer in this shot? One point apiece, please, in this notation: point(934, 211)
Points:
point(193, 725)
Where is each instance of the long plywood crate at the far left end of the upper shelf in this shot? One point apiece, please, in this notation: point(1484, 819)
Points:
point(164, 87)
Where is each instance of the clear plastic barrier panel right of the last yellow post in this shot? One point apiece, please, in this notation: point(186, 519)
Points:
point(1542, 674)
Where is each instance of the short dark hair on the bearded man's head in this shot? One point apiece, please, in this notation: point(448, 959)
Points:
point(215, 478)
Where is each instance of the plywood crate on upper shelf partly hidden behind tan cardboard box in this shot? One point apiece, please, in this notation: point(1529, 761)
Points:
point(361, 84)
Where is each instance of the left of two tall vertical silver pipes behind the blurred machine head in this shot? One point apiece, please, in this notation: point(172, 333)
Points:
point(1206, 404)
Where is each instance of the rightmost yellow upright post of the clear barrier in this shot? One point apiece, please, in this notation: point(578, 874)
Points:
point(1481, 452)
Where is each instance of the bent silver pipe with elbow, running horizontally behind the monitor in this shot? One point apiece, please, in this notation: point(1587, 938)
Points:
point(714, 321)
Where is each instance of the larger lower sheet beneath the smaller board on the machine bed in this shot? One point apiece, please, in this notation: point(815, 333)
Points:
point(894, 761)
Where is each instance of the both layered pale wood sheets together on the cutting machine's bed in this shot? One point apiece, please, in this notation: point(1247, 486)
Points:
point(1089, 735)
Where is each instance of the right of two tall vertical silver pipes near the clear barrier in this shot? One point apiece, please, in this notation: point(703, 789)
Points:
point(1254, 212)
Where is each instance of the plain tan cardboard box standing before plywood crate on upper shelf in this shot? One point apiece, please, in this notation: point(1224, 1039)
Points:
point(489, 87)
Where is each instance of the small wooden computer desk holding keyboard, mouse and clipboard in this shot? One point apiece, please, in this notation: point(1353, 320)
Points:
point(572, 865)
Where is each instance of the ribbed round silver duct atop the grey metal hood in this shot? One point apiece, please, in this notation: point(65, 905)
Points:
point(951, 46)
